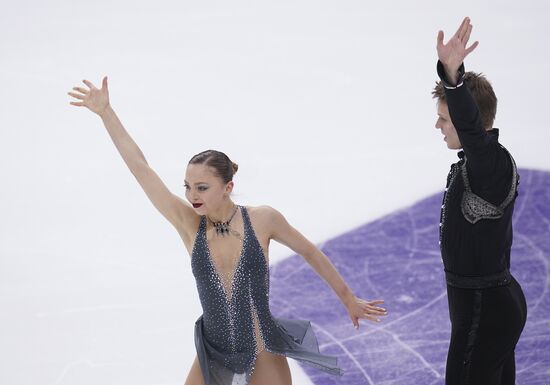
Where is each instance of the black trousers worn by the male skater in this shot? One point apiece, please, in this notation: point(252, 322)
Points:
point(486, 326)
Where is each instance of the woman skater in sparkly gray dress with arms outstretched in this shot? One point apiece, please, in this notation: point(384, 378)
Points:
point(237, 339)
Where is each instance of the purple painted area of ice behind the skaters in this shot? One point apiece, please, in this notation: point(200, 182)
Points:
point(397, 258)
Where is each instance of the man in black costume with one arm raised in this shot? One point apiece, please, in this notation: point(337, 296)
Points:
point(486, 304)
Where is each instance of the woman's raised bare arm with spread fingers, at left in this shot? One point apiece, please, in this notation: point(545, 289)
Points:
point(174, 209)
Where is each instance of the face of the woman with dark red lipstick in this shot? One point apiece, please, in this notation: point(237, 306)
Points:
point(204, 189)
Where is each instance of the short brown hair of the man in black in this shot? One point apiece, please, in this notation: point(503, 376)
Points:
point(483, 94)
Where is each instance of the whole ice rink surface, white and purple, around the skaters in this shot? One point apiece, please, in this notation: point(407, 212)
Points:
point(326, 107)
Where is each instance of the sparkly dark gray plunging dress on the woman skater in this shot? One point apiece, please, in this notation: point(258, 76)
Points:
point(234, 329)
